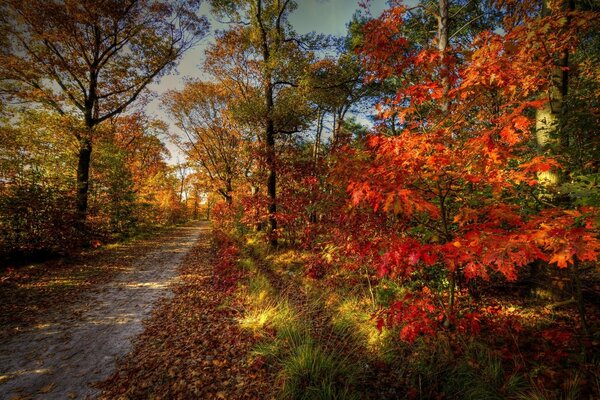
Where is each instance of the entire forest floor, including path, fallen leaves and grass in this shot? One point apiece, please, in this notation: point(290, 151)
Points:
point(194, 313)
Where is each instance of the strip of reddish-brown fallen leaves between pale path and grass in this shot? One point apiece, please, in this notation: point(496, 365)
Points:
point(192, 346)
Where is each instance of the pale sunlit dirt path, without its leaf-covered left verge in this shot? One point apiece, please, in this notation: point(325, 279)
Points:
point(59, 361)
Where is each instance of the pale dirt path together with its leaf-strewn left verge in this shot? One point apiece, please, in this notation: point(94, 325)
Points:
point(65, 323)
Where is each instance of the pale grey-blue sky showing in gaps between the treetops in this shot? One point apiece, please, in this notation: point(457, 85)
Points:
point(321, 16)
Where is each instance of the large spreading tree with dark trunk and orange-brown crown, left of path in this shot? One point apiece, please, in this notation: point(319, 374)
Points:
point(91, 58)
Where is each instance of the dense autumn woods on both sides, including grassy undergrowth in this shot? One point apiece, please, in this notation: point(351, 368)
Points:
point(427, 184)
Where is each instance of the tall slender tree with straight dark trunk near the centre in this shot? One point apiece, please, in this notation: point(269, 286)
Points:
point(260, 57)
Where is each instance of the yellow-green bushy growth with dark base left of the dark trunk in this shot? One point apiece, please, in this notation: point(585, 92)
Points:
point(36, 184)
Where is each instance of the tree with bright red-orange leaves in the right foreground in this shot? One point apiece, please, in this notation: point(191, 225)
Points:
point(456, 180)
